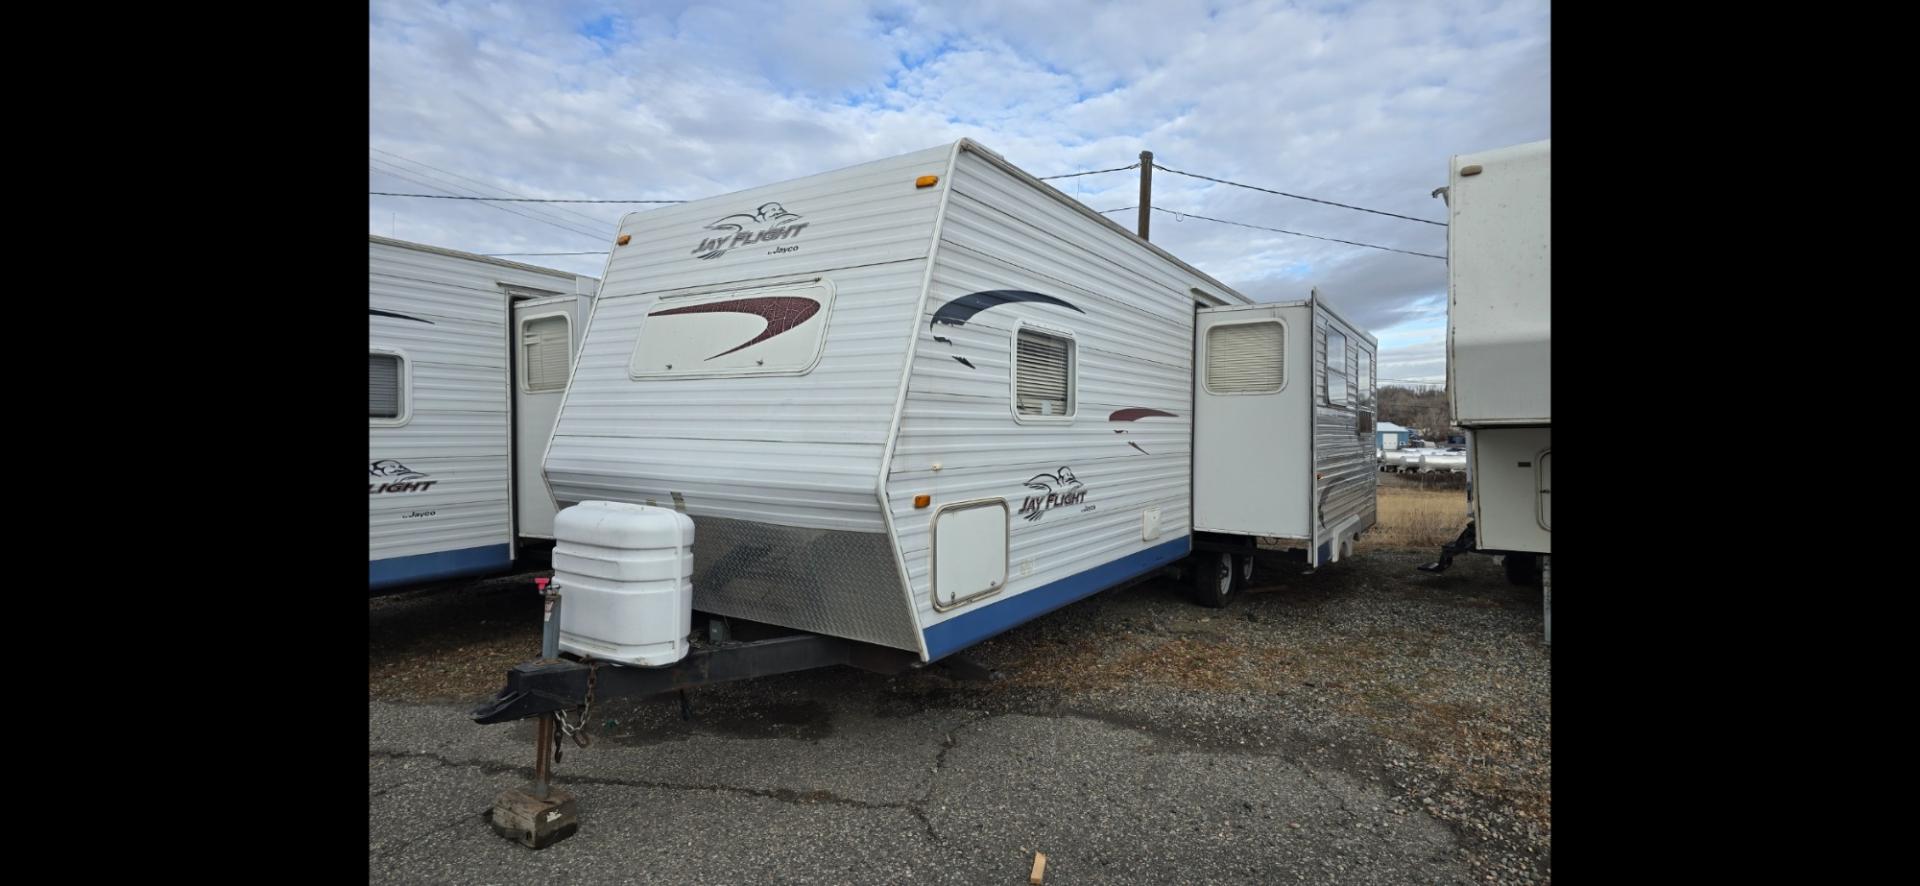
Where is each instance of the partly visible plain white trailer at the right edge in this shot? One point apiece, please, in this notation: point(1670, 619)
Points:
point(1500, 370)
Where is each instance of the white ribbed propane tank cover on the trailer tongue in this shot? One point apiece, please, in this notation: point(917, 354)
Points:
point(627, 581)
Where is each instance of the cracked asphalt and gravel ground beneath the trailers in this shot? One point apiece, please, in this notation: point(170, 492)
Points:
point(1399, 716)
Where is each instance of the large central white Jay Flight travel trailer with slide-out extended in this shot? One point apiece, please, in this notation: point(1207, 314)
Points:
point(923, 401)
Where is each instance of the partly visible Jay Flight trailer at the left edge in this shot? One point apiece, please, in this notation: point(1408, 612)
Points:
point(468, 358)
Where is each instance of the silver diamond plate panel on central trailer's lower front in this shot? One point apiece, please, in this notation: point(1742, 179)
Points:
point(813, 579)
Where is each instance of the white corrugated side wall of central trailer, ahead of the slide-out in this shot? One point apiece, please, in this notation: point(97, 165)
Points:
point(1134, 339)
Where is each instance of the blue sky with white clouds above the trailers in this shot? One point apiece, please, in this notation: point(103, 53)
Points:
point(1358, 103)
